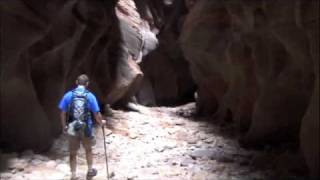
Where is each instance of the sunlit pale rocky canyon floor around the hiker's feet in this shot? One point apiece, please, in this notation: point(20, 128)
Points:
point(155, 143)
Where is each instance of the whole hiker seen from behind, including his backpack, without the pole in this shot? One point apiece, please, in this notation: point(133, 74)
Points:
point(77, 107)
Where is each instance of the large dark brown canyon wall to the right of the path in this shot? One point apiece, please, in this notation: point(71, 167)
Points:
point(256, 59)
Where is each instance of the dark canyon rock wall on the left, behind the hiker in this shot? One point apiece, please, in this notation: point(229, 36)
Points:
point(45, 45)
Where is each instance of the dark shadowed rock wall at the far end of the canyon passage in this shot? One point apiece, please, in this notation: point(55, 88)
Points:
point(167, 79)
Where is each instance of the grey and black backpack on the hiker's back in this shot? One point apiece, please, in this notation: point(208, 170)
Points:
point(78, 109)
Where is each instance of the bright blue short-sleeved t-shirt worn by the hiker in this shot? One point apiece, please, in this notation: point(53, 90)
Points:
point(92, 106)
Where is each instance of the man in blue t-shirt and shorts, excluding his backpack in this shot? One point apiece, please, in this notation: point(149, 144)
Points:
point(87, 137)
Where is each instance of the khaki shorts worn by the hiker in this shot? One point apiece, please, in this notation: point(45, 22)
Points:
point(74, 143)
